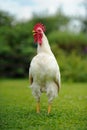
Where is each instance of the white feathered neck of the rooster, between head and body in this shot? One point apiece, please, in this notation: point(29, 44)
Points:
point(44, 47)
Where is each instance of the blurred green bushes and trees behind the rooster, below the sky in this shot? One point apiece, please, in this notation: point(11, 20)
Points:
point(68, 43)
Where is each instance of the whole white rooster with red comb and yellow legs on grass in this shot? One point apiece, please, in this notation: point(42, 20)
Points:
point(44, 73)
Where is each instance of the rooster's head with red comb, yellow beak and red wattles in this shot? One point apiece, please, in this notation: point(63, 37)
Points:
point(38, 31)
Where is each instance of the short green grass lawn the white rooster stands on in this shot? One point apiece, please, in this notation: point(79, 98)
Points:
point(17, 108)
